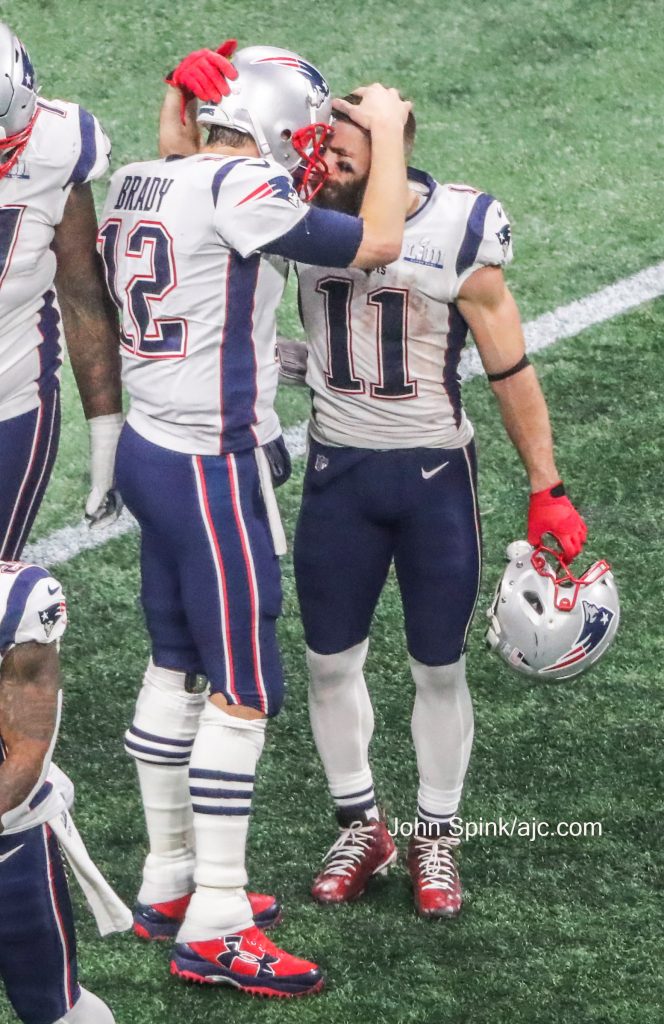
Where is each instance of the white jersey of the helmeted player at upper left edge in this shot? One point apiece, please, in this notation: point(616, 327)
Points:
point(67, 147)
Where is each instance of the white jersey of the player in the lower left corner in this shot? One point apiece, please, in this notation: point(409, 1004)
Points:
point(32, 609)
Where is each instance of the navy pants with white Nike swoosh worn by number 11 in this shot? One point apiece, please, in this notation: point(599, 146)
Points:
point(362, 510)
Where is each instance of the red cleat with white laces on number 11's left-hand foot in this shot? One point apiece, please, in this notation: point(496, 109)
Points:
point(360, 852)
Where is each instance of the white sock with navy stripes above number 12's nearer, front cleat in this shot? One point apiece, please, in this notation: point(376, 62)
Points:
point(222, 780)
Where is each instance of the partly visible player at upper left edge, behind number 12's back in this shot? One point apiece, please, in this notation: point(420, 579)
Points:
point(50, 153)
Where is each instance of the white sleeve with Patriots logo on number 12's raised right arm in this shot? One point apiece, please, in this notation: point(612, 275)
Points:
point(256, 203)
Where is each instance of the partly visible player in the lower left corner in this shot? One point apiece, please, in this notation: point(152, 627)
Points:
point(38, 963)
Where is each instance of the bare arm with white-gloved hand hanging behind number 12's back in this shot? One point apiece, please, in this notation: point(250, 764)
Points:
point(90, 317)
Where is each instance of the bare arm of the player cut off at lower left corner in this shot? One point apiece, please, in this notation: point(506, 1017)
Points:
point(29, 689)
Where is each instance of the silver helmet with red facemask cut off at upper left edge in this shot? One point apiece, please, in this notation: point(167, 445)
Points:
point(18, 98)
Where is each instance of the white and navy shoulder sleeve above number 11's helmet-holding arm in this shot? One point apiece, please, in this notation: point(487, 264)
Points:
point(486, 236)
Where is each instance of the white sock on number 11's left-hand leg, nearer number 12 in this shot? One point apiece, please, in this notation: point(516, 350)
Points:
point(343, 723)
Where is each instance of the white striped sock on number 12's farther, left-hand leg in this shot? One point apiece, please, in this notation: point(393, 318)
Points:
point(160, 740)
